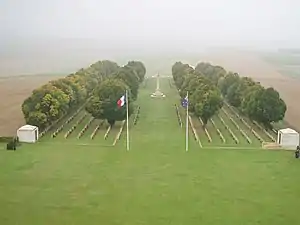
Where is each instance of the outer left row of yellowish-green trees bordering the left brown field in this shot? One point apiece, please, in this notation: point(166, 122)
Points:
point(57, 98)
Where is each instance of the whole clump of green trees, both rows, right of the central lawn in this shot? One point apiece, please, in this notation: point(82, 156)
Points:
point(209, 85)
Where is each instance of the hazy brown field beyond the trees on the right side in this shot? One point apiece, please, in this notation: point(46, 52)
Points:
point(251, 65)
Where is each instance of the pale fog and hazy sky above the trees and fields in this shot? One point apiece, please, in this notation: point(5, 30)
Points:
point(60, 36)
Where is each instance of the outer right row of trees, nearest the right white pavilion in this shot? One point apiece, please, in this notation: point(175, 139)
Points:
point(263, 105)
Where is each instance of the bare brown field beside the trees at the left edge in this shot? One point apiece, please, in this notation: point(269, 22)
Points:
point(13, 91)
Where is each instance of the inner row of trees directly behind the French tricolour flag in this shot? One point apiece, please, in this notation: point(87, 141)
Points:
point(103, 104)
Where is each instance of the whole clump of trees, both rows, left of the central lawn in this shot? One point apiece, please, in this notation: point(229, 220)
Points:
point(102, 83)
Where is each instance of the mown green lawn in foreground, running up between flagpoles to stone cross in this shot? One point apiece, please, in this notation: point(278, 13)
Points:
point(155, 183)
